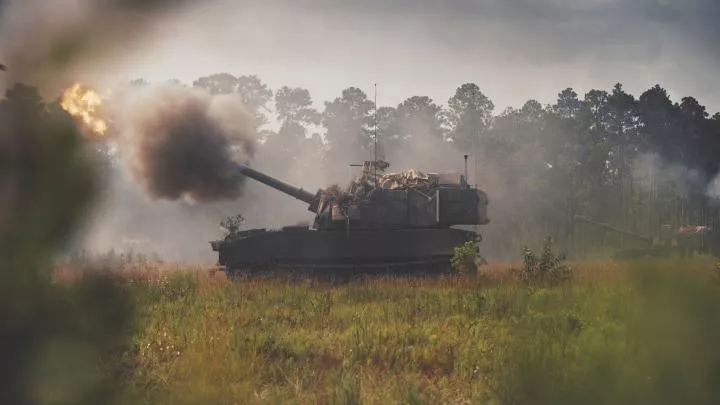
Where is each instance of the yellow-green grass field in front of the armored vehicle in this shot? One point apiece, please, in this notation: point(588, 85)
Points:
point(615, 334)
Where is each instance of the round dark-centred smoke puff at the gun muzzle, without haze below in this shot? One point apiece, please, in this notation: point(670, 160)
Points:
point(180, 142)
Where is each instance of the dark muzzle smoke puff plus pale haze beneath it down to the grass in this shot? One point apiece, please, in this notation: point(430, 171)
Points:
point(171, 181)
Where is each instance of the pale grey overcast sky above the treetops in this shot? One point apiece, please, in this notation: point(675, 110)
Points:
point(513, 49)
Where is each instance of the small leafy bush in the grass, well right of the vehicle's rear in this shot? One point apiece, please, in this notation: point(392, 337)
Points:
point(548, 268)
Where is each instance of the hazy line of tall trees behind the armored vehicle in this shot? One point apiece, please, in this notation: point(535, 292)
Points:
point(635, 162)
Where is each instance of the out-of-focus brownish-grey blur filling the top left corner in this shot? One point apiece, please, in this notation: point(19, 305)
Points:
point(44, 42)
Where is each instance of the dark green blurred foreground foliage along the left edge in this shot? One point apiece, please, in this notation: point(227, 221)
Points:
point(56, 342)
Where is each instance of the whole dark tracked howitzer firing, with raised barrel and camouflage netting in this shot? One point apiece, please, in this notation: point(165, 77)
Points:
point(387, 222)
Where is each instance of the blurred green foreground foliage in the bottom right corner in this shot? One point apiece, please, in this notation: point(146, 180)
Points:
point(655, 343)
